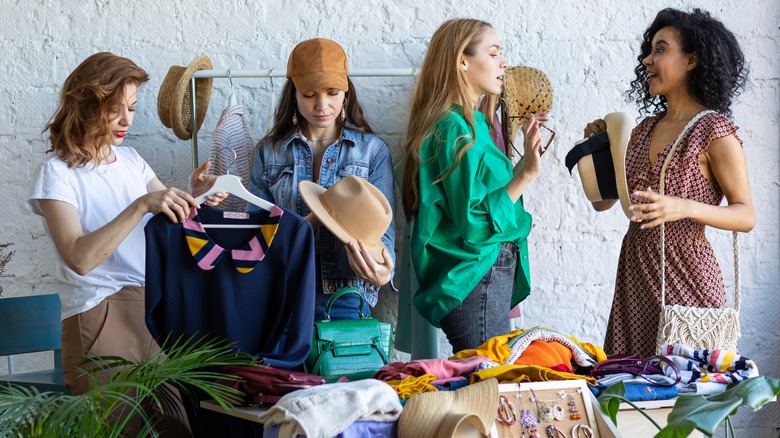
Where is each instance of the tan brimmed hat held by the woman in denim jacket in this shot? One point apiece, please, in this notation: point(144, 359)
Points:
point(351, 209)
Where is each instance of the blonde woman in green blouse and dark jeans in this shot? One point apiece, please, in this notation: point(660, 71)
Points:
point(468, 244)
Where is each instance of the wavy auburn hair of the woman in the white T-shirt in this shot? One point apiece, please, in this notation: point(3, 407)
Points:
point(81, 126)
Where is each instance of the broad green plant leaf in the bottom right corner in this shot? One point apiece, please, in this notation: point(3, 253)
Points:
point(705, 413)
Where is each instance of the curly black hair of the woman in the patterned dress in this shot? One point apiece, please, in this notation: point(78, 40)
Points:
point(720, 74)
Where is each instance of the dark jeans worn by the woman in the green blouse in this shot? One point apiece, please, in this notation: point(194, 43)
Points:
point(484, 313)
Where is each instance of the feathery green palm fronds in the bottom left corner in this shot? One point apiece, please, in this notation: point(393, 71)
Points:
point(184, 365)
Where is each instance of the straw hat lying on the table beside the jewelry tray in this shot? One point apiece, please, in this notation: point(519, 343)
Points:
point(445, 413)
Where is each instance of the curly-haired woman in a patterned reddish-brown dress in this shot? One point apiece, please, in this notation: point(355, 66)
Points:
point(690, 69)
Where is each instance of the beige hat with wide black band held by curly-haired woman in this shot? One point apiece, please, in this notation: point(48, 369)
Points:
point(601, 161)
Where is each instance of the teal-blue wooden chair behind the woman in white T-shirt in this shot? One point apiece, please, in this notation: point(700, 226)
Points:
point(28, 325)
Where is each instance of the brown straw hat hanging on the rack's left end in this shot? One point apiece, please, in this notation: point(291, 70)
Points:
point(174, 102)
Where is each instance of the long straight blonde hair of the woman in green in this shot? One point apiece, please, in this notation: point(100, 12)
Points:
point(441, 83)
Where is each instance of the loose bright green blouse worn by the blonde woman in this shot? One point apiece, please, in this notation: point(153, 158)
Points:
point(464, 219)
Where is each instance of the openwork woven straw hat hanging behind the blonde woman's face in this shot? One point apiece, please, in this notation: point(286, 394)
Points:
point(526, 91)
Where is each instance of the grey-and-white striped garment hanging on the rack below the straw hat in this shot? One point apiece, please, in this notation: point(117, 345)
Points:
point(231, 135)
